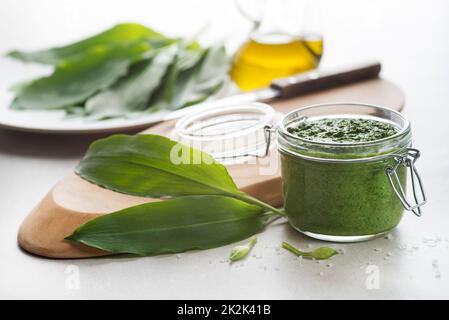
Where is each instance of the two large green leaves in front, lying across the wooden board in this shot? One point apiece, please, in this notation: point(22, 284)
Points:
point(200, 206)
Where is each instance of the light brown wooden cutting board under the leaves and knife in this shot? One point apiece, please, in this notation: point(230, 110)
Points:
point(74, 201)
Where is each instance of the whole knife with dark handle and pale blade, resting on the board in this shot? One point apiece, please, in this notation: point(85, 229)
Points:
point(295, 85)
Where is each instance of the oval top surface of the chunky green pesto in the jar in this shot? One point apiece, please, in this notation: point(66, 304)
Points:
point(342, 130)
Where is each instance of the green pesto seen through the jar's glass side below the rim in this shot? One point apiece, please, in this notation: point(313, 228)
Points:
point(340, 199)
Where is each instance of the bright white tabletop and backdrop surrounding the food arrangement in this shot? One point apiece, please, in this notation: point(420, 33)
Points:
point(412, 40)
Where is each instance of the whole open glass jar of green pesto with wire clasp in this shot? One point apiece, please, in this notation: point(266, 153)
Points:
point(344, 170)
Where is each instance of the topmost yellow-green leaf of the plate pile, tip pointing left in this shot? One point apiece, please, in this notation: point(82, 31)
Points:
point(121, 34)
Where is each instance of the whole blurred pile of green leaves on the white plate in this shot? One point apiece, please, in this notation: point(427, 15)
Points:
point(125, 70)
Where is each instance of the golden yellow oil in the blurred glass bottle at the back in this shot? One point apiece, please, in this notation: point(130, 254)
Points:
point(259, 61)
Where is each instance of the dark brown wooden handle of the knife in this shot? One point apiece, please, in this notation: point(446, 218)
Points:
point(319, 80)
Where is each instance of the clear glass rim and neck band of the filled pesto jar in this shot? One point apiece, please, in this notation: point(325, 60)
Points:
point(344, 152)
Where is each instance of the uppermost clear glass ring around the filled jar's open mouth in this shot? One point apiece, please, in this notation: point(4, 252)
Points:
point(403, 131)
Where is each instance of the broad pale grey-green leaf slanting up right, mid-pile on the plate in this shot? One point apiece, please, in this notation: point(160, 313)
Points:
point(132, 92)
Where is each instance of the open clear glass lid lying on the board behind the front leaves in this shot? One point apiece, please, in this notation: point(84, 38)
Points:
point(230, 134)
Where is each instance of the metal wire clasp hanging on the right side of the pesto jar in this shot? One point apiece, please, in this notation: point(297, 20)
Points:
point(408, 160)
